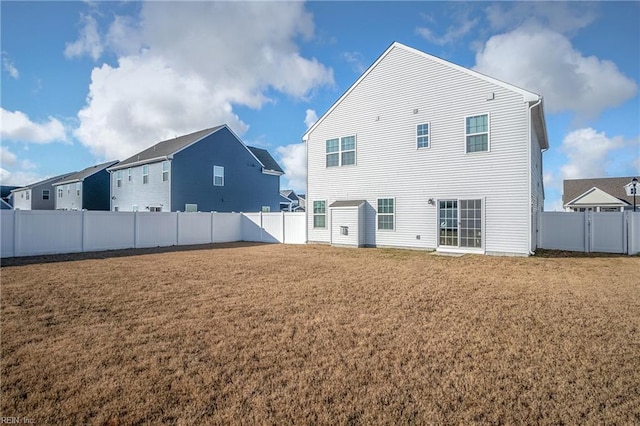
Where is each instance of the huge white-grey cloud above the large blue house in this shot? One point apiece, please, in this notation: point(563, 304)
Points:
point(186, 66)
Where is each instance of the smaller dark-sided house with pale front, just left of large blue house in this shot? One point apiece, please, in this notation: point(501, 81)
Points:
point(87, 189)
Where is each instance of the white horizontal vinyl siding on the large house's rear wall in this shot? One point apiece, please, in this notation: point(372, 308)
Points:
point(380, 111)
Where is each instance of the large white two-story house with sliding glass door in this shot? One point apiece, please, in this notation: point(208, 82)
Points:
point(423, 153)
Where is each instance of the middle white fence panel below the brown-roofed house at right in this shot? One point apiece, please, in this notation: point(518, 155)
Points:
point(607, 232)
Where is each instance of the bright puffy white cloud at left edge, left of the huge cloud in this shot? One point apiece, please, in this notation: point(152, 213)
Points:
point(17, 126)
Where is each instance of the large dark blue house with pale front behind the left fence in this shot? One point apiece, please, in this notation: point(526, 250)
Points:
point(209, 170)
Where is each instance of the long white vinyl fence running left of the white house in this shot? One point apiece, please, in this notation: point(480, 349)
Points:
point(36, 232)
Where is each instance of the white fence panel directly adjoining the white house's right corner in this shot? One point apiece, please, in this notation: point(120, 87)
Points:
point(563, 231)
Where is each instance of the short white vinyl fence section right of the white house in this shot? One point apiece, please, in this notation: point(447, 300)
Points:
point(610, 232)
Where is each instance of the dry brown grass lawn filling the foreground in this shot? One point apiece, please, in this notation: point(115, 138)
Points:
point(319, 335)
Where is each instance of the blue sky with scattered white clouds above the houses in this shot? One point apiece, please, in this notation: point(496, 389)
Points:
point(86, 82)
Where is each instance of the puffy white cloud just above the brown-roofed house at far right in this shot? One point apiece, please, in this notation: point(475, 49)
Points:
point(593, 154)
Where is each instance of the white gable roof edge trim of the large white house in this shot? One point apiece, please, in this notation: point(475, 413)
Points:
point(527, 95)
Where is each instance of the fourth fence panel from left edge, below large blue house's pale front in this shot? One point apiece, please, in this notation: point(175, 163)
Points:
point(156, 229)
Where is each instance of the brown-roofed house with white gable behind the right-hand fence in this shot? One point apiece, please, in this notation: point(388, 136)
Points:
point(599, 194)
